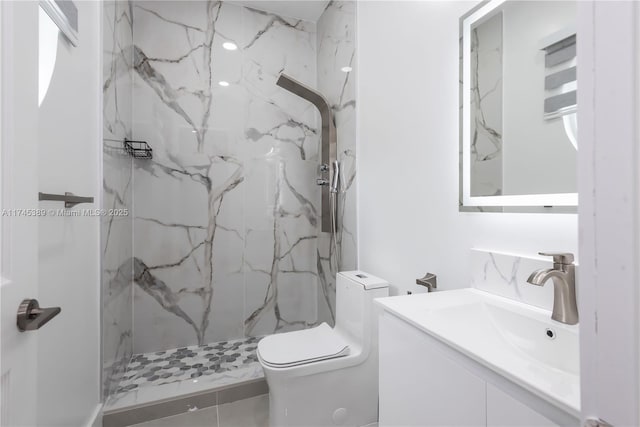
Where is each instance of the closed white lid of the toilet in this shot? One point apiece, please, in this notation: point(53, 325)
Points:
point(301, 347)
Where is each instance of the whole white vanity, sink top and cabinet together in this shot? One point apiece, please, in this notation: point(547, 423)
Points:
point(470, 358)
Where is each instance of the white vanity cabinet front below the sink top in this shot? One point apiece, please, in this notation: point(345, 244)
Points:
point(424, 382)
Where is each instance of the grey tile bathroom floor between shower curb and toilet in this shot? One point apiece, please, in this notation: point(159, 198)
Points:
point(252, 412)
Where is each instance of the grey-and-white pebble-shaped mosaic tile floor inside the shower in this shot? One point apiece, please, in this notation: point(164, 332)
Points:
point(188, 363)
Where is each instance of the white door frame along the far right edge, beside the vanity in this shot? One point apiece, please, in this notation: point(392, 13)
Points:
point(609, 214)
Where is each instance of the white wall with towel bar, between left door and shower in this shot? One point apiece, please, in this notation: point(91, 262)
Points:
point(69, 133)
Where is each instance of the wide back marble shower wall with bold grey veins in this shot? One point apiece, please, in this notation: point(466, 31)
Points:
point(226, 214)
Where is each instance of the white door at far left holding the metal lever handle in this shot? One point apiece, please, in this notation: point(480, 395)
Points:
point(19, 192)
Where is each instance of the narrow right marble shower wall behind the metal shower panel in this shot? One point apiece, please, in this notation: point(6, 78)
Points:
point(336, 32)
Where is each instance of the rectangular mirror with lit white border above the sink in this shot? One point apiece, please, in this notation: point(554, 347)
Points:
point(518, 122)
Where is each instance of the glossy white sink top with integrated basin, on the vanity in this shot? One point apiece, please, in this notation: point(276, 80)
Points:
point(506, 336)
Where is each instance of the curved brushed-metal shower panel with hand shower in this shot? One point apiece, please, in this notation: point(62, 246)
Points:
point(330, 184)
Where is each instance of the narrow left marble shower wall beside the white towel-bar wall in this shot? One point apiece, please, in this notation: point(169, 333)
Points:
point(117, 231)
